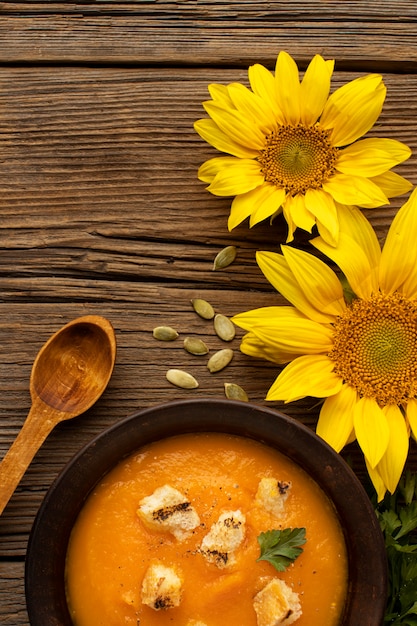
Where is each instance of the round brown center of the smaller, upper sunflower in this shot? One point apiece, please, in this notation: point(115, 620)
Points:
point(298, 158)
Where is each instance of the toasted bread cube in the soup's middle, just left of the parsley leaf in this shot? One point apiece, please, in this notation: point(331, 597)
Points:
point(223, 538)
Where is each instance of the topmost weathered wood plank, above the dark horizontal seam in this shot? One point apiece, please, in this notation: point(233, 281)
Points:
point(193, 33)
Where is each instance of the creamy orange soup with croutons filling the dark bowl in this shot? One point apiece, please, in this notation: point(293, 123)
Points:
point(117, 552)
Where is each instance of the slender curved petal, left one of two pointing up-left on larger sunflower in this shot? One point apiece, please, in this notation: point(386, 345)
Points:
point(276, 269)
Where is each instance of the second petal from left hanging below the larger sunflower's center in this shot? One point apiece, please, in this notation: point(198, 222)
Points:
point(372, 430)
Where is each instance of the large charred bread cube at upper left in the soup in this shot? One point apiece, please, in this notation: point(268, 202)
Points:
point(167, 509)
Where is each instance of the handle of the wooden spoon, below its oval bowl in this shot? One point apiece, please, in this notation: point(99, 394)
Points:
point(37, 426)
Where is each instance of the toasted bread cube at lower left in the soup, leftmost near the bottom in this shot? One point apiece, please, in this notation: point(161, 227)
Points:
point(161, 587)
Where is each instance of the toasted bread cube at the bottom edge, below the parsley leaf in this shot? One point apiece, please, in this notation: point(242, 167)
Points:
point(277, 604)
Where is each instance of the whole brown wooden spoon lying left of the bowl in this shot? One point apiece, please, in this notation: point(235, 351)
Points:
point(69, 374)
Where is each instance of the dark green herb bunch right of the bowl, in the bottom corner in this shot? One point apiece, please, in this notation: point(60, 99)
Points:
point(397, 515)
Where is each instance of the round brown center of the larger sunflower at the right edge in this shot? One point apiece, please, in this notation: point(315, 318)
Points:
point(375, 348)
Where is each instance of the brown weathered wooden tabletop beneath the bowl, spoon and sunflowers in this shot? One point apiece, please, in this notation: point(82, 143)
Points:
point(102, 211)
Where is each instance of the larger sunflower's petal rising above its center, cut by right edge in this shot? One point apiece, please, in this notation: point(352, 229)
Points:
point(399, 254)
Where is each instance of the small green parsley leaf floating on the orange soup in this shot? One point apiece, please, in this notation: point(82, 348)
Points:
point(281, 547)
